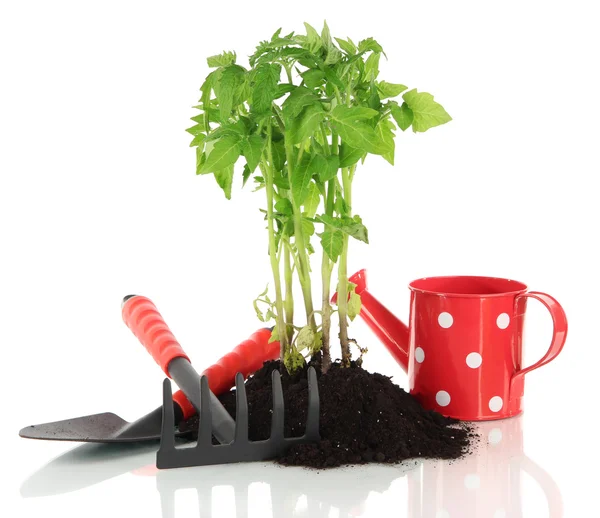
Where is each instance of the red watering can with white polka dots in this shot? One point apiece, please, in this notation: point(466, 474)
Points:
point(463, 347)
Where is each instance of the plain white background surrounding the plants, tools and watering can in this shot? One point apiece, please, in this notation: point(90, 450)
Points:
point(99, 199)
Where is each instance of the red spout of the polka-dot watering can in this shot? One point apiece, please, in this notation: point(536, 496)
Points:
point(392, 332)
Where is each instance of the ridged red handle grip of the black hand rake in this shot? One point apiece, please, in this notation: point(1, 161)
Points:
point(144, 320)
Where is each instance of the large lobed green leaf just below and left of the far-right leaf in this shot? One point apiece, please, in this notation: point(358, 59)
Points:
point(348, 123)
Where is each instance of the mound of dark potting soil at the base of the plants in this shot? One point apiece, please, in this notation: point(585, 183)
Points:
point(364, 418)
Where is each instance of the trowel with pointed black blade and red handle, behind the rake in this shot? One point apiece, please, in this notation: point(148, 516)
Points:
point(107, 427)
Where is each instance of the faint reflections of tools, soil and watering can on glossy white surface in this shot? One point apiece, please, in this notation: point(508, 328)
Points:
point(484, 484)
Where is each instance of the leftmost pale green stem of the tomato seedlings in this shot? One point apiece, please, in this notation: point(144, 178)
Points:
point(267, 170)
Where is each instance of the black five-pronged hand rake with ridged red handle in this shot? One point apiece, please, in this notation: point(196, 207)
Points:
point(142, 317)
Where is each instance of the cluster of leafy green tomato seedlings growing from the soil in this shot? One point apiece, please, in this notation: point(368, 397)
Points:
point(304, 114)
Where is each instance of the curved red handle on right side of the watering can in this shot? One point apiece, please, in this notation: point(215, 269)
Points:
point(559, 321)
